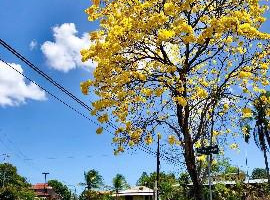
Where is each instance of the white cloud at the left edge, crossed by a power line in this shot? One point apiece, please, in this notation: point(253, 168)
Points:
point(14, 90)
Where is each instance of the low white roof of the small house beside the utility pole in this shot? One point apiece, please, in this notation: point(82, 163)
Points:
point(136, 191)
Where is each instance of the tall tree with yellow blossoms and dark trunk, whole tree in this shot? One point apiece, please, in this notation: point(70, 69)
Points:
point(185, 68)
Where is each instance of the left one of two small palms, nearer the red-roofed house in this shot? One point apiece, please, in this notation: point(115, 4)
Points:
point(93, 180)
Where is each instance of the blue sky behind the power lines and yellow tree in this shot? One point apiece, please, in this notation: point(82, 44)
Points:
point(39, 133)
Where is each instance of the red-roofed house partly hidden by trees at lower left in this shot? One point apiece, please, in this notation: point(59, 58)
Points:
point(44, 191)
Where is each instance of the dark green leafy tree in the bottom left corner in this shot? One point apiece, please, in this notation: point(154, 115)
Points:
point(13, 186)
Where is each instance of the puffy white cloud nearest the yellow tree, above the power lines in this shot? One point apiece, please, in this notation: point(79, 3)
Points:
point(64, 53)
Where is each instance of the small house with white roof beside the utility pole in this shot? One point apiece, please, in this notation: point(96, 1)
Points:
point(135, 193)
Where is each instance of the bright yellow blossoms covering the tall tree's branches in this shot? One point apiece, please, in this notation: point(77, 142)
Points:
point(150, 52)
